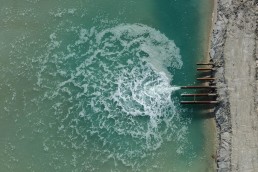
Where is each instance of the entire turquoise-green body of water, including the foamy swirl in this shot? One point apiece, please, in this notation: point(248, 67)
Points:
point(94, 85)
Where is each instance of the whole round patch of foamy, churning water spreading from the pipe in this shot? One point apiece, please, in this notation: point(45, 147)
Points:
point(110, 91)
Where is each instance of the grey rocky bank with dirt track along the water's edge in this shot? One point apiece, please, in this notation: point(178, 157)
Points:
point(233, 49)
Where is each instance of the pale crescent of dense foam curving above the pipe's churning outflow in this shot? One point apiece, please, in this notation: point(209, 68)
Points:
point(161, 51)
